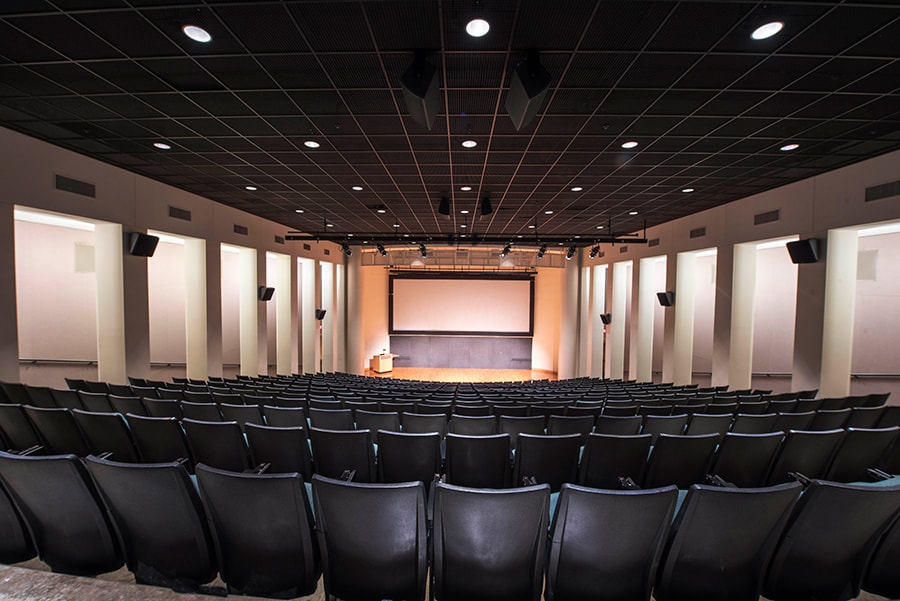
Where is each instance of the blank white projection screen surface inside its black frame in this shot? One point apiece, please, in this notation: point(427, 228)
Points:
point(431, 305)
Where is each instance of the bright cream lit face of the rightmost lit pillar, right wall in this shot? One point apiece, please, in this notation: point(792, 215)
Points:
point(840, 308)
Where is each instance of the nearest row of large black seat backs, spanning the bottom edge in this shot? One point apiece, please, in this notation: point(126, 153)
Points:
point(379, 541)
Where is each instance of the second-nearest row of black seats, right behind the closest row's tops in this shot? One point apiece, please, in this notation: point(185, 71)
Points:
point(285, 442)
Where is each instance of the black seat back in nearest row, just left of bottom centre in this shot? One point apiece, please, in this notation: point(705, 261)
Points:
point(383, 523)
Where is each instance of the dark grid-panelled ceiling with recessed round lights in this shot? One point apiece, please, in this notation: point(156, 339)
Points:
point(709, 107)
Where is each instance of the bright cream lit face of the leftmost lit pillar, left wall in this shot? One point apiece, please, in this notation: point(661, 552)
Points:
point(111, 366)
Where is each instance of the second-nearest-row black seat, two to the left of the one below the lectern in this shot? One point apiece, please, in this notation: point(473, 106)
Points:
point(285, 449)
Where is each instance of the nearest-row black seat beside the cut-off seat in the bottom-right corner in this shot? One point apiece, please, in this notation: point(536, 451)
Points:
point(829, 540)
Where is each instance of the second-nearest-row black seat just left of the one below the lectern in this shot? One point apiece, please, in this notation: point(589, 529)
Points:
point(338, 451)
